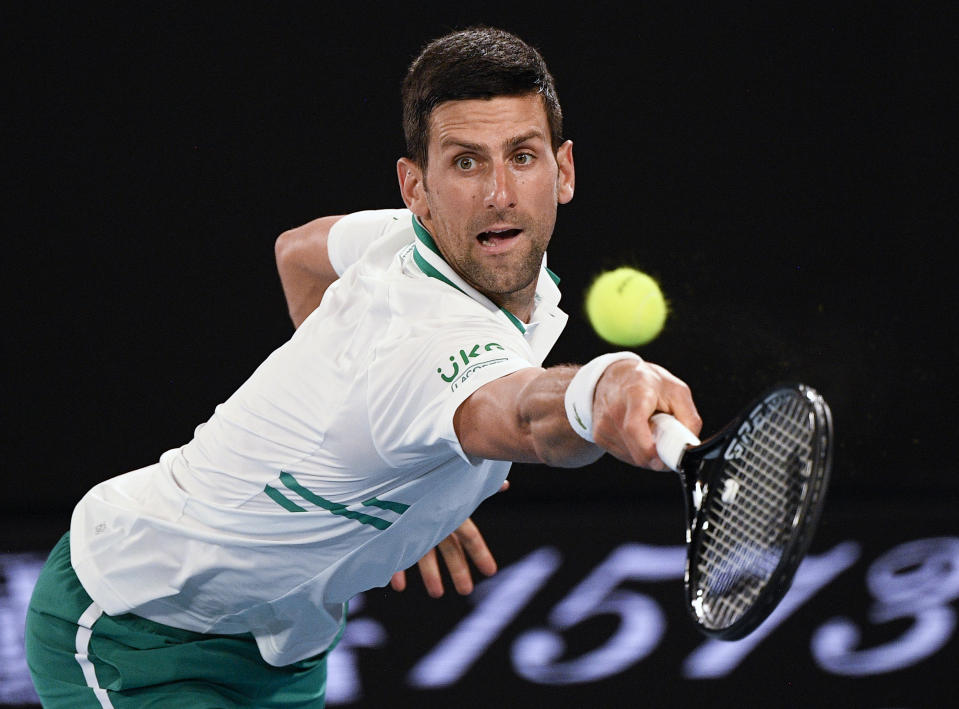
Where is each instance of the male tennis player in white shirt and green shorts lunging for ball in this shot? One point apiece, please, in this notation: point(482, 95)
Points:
point(219, 576)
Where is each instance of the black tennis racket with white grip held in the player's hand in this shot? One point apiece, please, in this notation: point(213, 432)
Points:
point(753, 493)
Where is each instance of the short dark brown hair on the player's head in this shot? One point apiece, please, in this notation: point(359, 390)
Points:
point(477, 62)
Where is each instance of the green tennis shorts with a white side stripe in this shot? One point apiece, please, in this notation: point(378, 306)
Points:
point(81, 657)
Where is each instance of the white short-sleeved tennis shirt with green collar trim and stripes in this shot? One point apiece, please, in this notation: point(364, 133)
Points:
point(333, 466)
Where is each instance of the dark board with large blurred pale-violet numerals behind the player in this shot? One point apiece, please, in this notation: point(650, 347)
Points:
point(587, 610)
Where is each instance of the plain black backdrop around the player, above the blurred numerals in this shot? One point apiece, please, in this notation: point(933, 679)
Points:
point(787, 175)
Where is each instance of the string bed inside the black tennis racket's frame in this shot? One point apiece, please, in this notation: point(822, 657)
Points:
point(747, 521)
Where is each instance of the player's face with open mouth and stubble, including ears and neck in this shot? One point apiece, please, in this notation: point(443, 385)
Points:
point(490, 192)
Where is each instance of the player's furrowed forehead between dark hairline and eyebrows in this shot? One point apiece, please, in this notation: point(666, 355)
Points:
point(488, 121)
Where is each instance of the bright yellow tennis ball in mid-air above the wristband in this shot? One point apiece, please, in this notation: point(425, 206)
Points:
point(626, 307)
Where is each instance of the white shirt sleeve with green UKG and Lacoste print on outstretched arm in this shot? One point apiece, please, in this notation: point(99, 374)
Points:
point(418, 387)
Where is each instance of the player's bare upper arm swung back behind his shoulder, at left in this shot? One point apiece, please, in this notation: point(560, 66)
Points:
point(303, 262)
